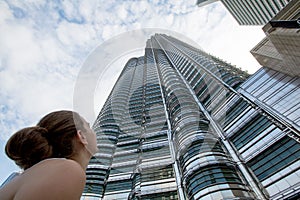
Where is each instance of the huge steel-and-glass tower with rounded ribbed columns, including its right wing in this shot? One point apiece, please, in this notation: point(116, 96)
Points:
point(182, 124)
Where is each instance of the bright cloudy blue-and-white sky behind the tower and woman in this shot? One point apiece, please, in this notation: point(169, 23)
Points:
point(45, 45)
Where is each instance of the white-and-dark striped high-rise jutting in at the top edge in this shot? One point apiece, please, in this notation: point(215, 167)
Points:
point(251, 12)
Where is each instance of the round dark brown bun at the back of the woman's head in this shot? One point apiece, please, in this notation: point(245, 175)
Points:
point(29, 146)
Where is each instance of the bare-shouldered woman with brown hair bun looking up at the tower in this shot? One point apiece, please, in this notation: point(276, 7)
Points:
point(54, 155)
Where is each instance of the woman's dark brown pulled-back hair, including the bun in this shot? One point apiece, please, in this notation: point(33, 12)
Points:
point(53, 137)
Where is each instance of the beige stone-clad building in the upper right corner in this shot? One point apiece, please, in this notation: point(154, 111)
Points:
point(280, 49)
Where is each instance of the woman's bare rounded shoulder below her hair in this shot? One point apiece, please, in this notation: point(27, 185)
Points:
point(53, 179)
